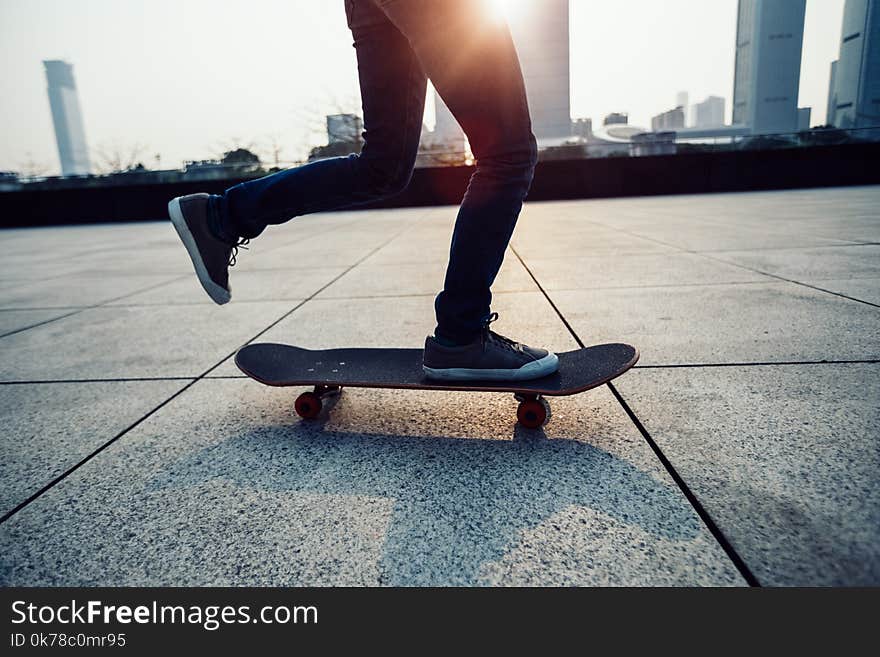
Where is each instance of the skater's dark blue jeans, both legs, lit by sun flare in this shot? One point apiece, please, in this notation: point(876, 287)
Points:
point(470, 57)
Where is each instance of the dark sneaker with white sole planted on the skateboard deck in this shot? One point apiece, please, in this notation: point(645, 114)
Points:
point(491, 357)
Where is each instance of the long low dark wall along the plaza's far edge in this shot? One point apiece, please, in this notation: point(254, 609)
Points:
point(692, 173)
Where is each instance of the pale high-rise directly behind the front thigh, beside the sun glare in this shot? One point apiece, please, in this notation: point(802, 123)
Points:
point(540, 31)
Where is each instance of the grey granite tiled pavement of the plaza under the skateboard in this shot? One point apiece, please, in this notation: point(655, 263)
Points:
point(743, 448)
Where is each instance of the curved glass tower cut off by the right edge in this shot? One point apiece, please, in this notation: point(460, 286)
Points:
point(856, 85)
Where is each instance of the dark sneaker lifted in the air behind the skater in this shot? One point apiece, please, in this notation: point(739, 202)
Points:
point(211, 257)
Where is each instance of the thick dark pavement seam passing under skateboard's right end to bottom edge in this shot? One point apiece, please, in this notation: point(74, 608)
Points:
point(719, 536)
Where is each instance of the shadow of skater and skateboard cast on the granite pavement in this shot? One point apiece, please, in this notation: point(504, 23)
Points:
point(458, 503)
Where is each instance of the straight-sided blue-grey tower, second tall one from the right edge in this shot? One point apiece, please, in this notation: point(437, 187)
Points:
point(769, 41)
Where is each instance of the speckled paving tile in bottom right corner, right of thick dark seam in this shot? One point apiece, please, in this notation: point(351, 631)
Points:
point(784, 458)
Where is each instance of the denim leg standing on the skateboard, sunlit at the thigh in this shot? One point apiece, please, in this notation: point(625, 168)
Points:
point(471, 59)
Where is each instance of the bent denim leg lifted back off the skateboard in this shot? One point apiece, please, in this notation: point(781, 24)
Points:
point(393, 96)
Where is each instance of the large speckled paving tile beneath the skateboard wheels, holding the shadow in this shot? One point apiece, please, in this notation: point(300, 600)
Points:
point(436, 489)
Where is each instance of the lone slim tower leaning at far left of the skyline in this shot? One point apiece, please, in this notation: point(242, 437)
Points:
point(70, 134)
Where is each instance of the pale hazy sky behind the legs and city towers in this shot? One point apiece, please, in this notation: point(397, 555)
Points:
point(176, 80)
